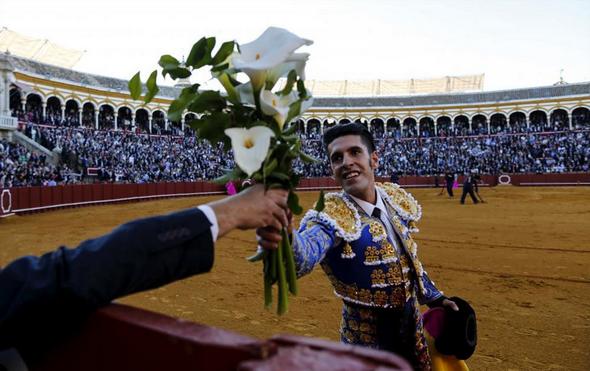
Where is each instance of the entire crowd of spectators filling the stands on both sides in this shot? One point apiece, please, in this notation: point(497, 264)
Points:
point(124, 156)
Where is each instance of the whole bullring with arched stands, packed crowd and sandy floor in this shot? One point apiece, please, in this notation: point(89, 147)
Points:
point(76, 148)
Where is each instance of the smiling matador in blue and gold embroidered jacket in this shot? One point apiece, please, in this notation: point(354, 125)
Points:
point(363, 241)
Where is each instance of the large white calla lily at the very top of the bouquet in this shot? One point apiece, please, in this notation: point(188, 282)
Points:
point(270, 49)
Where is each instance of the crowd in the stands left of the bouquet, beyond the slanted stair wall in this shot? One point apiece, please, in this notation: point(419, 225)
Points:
point(119, 156)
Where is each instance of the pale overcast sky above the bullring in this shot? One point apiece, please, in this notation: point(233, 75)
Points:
point(516, 43)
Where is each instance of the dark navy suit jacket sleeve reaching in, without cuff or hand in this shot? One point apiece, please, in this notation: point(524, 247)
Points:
point(67, 283)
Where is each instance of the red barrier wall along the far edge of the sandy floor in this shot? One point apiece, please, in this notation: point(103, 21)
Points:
point(26, 199)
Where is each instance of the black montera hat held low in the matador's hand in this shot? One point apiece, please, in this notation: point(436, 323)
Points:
point(459, 334)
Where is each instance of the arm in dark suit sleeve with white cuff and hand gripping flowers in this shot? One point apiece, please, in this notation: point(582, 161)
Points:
point(43, 297)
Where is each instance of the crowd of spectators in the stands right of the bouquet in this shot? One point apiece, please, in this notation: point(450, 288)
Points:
point(556, 152)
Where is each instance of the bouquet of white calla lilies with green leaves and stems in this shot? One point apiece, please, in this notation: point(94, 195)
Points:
point(251, 117)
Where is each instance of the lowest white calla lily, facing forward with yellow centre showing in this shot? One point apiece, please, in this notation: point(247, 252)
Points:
point(250, 146)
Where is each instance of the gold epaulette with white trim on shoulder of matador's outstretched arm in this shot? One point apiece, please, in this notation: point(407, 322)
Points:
point(338, 213)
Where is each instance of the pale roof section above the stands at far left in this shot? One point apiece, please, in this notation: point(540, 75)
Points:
point(41, 50)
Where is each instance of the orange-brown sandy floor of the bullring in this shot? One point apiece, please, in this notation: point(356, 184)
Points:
point(522, 260)
